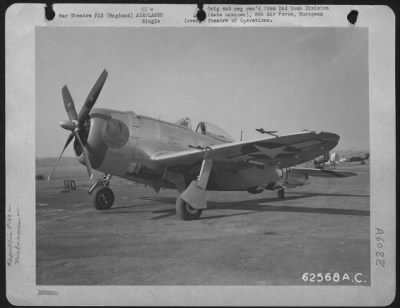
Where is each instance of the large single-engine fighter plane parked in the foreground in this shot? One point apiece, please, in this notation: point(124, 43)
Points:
point(173, 155)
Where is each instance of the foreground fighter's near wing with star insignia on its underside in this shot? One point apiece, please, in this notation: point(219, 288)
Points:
point(283, 151)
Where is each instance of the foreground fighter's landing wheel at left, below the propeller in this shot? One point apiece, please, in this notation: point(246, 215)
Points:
point(102, 195)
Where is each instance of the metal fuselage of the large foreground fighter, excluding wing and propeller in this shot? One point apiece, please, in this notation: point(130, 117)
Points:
point(123, 143)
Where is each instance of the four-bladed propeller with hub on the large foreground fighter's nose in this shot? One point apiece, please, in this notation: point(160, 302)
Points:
point(77, 121)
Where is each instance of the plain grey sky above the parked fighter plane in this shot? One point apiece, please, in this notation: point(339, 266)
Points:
point(284, 79)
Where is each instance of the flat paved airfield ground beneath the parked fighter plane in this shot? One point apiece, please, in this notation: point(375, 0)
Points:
point(242, 239)
